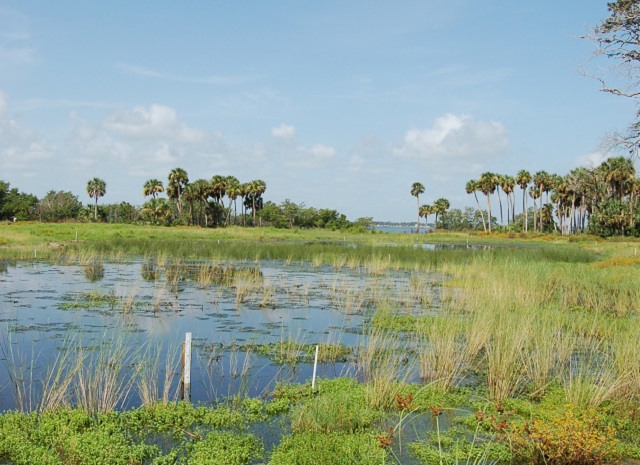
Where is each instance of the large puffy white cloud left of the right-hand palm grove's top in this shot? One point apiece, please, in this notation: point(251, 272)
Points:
point(456, 138)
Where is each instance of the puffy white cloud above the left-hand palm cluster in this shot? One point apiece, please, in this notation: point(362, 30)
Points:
point(156, 122)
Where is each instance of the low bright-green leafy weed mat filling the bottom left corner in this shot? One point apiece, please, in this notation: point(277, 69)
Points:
point(172, 433)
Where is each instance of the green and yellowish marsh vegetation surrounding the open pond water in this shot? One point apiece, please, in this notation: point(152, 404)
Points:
point(526, 353)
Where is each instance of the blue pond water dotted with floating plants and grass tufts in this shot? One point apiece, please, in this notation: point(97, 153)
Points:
point(253, 323)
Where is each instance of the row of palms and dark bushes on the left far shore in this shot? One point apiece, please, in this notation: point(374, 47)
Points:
point(204, 202)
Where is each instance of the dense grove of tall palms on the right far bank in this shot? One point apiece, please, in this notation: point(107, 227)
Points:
point(601, 200)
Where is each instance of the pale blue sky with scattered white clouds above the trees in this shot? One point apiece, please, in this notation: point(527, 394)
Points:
point(334, 104)
